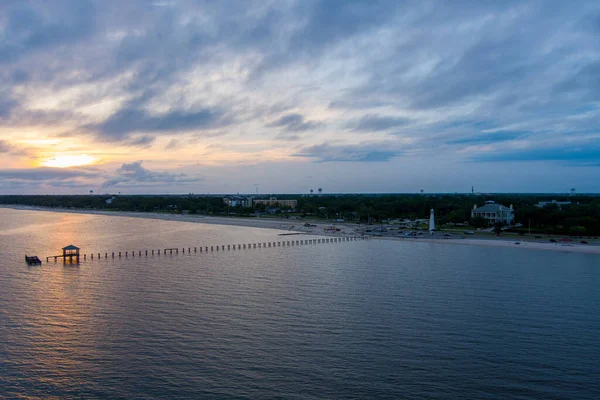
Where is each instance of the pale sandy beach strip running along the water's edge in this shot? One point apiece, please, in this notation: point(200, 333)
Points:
point(297, 227)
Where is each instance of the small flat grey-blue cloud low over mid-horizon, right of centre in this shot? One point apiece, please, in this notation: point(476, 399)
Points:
point(327, 152)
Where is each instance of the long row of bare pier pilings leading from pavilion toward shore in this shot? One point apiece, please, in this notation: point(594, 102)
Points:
point(208, 249)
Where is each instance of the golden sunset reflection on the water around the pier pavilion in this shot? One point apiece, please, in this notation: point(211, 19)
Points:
point(71, 319)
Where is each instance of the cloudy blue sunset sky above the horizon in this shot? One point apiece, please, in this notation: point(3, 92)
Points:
point(354, 96)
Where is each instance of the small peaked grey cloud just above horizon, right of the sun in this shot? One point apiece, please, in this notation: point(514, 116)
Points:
point(134, 174)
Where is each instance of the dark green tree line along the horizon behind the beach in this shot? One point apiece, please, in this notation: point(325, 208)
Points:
point(581, 217)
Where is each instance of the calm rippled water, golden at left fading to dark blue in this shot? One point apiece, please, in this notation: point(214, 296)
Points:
point(367, 320)
